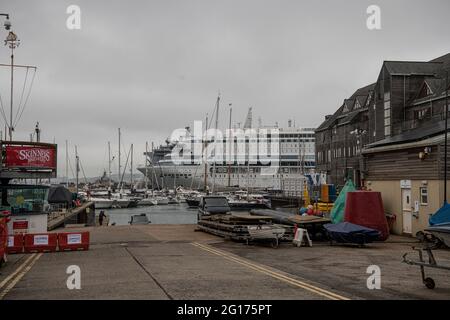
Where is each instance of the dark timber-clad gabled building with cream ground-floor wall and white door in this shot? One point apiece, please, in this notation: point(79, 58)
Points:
point(388, 137)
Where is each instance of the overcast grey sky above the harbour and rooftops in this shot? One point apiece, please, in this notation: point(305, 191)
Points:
point(149, 67)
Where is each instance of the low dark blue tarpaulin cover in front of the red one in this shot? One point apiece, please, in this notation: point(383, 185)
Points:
point(346, 232)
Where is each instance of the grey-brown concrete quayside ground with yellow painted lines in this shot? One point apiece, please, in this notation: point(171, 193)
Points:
point(177, 262)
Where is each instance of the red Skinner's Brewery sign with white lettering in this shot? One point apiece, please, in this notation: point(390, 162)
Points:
point(30, 157)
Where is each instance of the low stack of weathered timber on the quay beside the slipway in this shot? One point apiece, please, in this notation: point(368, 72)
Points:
point(235, 225)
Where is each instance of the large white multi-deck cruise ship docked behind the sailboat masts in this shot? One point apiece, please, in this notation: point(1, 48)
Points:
point(291, 162)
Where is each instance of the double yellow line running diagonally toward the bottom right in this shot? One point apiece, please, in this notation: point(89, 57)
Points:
point(273, 274)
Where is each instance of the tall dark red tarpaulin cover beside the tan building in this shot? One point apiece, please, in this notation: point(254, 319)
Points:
point(365, 208)
